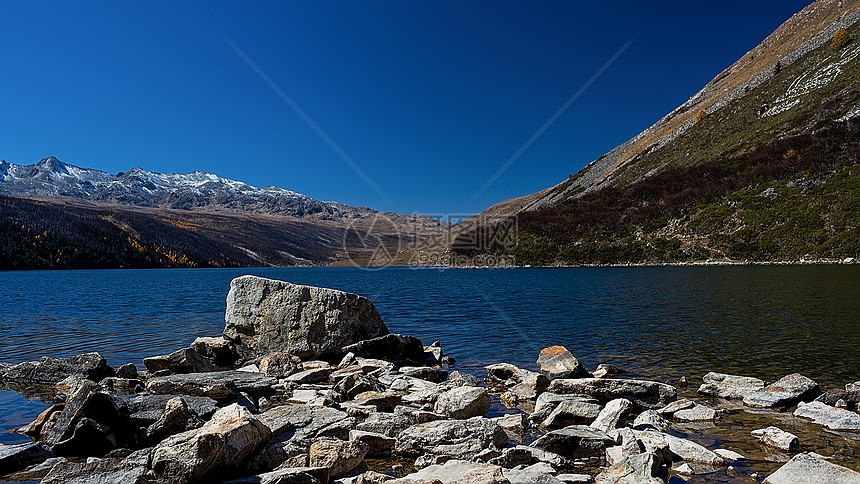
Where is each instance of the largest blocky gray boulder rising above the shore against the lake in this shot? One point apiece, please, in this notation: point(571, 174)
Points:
point(264, 316)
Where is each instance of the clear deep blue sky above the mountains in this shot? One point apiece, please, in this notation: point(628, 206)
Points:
point(428, 98)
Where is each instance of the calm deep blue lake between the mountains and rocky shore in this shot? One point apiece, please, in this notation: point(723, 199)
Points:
point(661, 322)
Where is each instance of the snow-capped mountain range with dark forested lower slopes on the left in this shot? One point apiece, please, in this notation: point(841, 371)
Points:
point(58, 215)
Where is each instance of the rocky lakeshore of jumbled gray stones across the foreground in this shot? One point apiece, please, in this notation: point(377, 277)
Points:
point(307, 385)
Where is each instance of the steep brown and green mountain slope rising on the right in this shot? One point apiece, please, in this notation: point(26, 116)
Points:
point(760, 165)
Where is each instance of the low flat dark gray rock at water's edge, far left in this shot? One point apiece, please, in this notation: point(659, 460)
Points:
point(49, 371)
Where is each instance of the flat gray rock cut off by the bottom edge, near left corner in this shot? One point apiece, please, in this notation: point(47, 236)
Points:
point(98, 471)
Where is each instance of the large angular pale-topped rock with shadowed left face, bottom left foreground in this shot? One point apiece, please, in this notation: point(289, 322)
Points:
point(223, 443)
